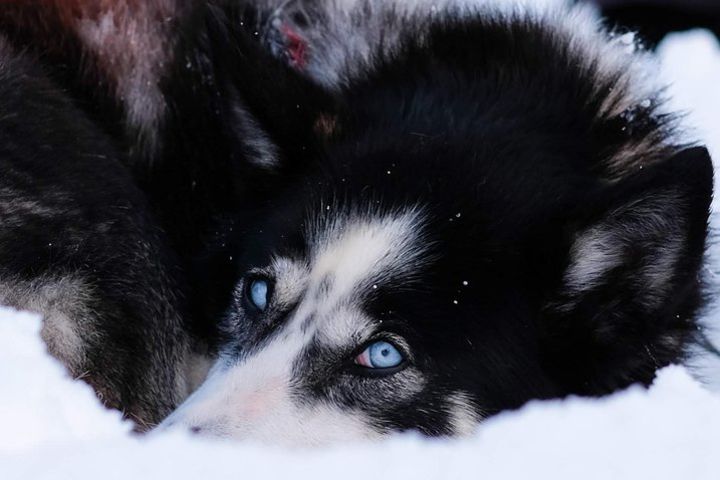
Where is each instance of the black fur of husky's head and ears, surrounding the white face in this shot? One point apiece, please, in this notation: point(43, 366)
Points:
point(517, 146)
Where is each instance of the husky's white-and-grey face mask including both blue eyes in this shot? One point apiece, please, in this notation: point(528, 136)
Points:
point(328, 345)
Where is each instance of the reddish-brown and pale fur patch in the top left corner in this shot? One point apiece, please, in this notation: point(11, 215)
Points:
point(117, 47)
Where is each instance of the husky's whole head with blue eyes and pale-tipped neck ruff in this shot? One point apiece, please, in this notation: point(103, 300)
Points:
point(495, 209)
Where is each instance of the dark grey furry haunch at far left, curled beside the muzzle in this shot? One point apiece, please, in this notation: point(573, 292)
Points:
point(79, 244)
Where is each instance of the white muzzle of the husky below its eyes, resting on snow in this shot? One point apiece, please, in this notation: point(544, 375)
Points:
point(254, 401)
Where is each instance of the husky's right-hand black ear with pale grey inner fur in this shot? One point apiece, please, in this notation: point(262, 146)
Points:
point(631, 284)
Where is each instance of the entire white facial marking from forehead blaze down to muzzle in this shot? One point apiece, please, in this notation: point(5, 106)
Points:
point(255, 397)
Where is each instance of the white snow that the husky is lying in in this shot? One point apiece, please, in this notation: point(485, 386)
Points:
point(53, 428)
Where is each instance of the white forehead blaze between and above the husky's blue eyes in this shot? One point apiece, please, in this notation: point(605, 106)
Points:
point(351, 257)
